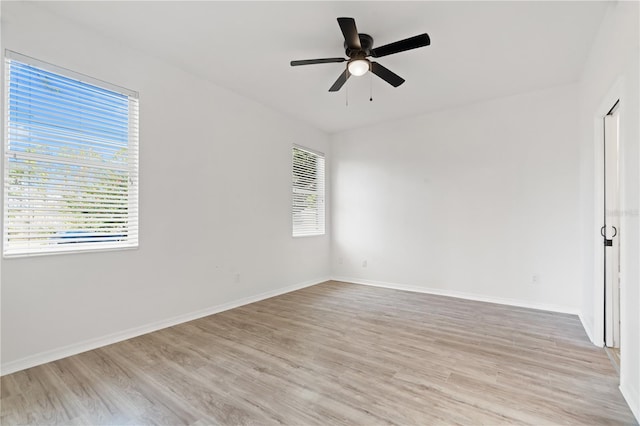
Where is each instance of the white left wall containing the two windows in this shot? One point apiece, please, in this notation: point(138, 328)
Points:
point(214, 202)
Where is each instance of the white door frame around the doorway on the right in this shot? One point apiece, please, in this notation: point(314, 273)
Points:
point(615, 94)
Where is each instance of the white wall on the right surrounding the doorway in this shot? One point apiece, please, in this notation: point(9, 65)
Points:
point(612, 72)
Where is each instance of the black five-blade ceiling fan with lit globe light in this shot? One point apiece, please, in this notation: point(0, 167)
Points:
point(358, 47)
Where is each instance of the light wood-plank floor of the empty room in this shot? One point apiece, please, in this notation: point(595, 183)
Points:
point(334, 353)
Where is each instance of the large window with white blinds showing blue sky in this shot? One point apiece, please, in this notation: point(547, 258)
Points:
point(70, 161)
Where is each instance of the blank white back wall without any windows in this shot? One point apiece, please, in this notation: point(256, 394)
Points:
point(471, 202)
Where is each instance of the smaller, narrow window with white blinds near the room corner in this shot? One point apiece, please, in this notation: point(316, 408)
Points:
point(308, 193)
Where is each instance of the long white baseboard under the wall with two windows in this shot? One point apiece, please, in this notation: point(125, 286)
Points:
point(87, 345)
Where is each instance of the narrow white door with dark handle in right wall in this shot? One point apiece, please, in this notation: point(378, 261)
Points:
point(611, 229)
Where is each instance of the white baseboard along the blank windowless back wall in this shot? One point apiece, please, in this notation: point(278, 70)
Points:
point(463, 295)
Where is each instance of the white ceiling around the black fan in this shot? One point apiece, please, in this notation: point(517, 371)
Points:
point(479, 50)
